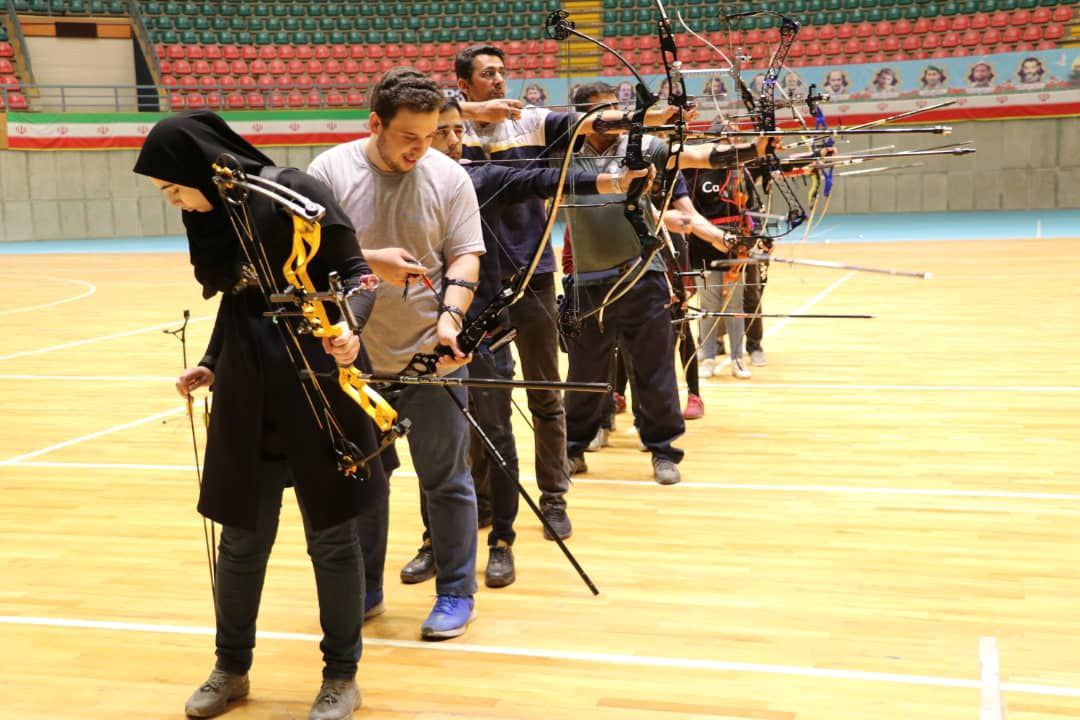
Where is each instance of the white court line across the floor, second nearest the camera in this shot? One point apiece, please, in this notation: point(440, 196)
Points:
point(825, 490)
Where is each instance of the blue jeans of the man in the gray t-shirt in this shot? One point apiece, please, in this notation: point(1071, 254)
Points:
point(439, 444)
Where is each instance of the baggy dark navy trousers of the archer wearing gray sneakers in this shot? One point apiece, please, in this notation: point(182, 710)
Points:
point(641, 324)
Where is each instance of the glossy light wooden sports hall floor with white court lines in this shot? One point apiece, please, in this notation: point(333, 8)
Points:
point(855, 522)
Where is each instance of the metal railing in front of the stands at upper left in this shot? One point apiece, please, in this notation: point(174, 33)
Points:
point(154, 99)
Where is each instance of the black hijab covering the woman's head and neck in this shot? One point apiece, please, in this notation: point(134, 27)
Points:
point(181, 150)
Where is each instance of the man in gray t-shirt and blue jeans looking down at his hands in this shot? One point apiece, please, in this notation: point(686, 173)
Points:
point(398, 195)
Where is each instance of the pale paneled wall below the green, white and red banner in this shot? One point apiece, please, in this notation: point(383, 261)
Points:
point(1020, 166)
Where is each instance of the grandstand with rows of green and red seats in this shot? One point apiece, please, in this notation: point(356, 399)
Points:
point(254, 56)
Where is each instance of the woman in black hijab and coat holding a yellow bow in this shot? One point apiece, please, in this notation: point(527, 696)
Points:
point(263, 434)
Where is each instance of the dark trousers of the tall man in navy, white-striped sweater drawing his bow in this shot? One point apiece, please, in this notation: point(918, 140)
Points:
point(535, 319)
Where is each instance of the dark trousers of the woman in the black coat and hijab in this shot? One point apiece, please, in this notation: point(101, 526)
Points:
point(241, 569)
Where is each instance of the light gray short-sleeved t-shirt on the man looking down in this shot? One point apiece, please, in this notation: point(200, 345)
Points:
point(431, 212)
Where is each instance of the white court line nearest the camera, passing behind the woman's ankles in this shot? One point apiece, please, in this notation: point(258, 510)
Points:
point(607, 659)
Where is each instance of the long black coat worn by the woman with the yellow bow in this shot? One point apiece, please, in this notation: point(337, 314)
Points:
point(261, 411)
